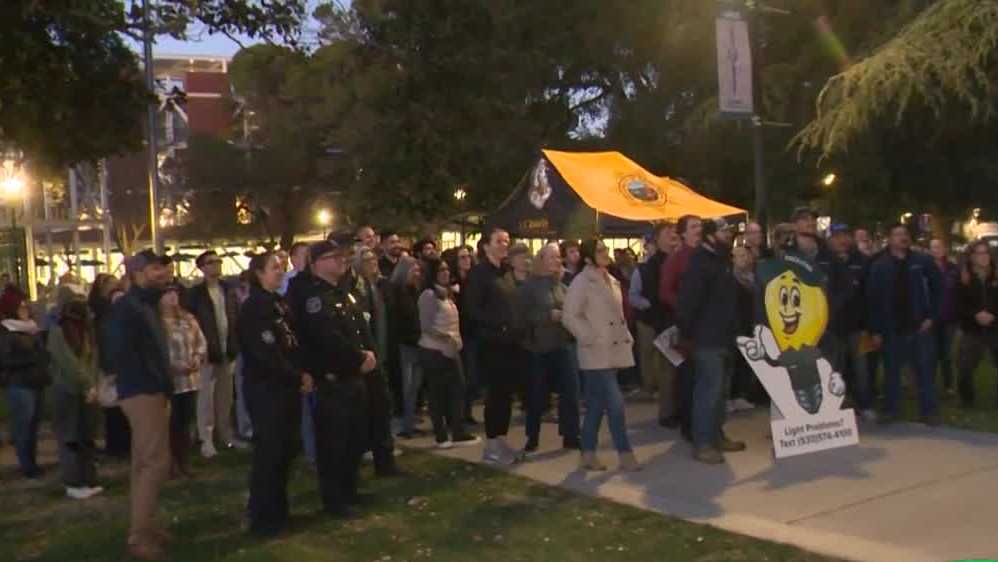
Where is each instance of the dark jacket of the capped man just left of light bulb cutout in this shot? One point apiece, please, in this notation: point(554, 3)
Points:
point(708, 300)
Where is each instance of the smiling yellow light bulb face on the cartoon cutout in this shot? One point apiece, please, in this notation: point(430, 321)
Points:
point(797, 312)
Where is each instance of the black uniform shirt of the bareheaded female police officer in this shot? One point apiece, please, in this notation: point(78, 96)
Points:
point(269, 345)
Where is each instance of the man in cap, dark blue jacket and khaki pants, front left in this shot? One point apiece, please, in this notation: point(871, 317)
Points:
point(140, 356)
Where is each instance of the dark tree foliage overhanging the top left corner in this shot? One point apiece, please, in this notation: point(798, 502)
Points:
point(70, 87)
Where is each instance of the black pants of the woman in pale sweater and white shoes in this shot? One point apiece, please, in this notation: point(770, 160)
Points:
point(446, 389)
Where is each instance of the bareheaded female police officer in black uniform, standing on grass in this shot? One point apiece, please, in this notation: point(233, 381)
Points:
point(272, 384)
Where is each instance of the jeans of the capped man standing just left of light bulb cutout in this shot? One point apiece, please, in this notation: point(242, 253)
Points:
point(713, 367)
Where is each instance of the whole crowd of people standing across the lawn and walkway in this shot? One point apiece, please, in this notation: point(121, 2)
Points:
point(336, 347)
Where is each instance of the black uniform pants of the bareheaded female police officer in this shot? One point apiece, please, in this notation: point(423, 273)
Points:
point(275, 411)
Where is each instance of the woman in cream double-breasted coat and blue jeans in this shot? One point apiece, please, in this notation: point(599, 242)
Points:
point(594, 314)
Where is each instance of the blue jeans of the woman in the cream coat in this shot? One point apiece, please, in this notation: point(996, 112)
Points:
point(603, 397)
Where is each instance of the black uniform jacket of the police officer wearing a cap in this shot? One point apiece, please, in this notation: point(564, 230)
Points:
point(332, 329)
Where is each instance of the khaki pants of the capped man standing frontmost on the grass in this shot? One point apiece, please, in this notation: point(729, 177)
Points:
point(149, 417)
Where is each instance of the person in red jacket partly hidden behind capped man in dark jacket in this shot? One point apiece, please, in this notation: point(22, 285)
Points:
point(690, 228)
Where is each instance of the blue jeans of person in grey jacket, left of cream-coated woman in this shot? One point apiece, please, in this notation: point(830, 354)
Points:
point(555, 367)
